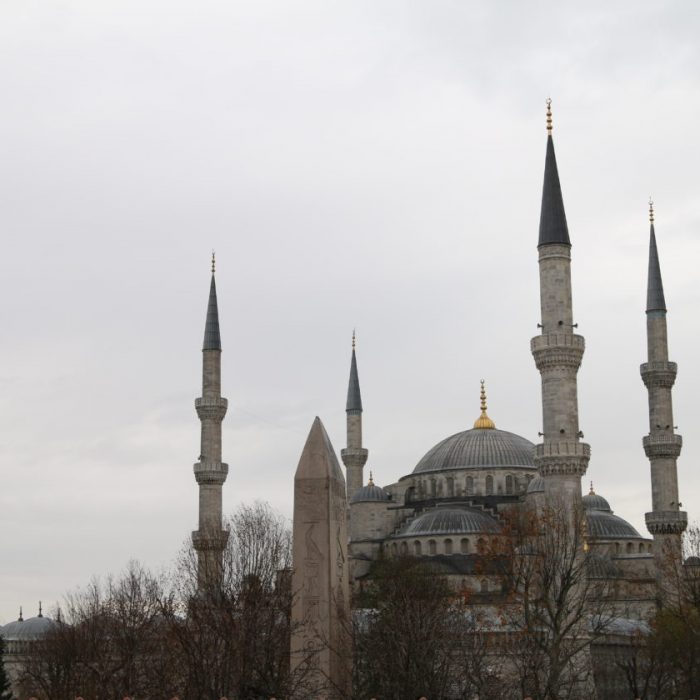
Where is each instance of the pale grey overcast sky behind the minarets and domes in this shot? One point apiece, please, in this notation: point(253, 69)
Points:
point(375, 165)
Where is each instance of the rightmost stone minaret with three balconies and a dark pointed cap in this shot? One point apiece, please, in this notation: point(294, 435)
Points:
point(666, 521)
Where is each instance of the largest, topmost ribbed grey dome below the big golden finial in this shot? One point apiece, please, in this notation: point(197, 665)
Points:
point(478, 448)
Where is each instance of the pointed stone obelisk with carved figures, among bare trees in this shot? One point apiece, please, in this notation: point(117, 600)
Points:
point(320, 644)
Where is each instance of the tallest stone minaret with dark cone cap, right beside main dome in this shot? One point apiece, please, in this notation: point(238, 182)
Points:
point(561, 458)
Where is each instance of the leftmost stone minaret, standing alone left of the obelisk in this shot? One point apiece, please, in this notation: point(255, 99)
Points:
point(210, 539)
